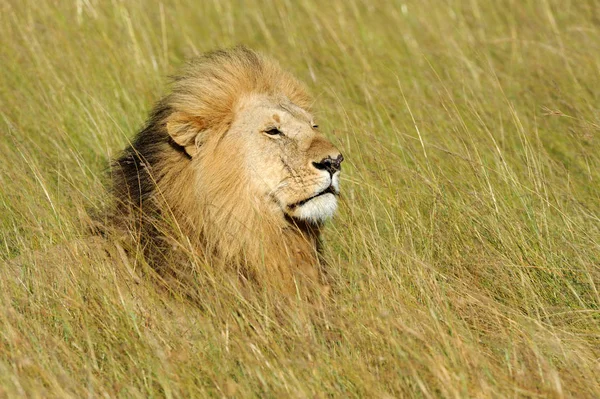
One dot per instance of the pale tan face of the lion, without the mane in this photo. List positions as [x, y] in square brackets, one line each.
[289, 162]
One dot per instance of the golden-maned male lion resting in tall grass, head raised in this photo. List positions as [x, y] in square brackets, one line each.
[232, 163]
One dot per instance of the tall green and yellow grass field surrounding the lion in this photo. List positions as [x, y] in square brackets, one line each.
[466, 250]
